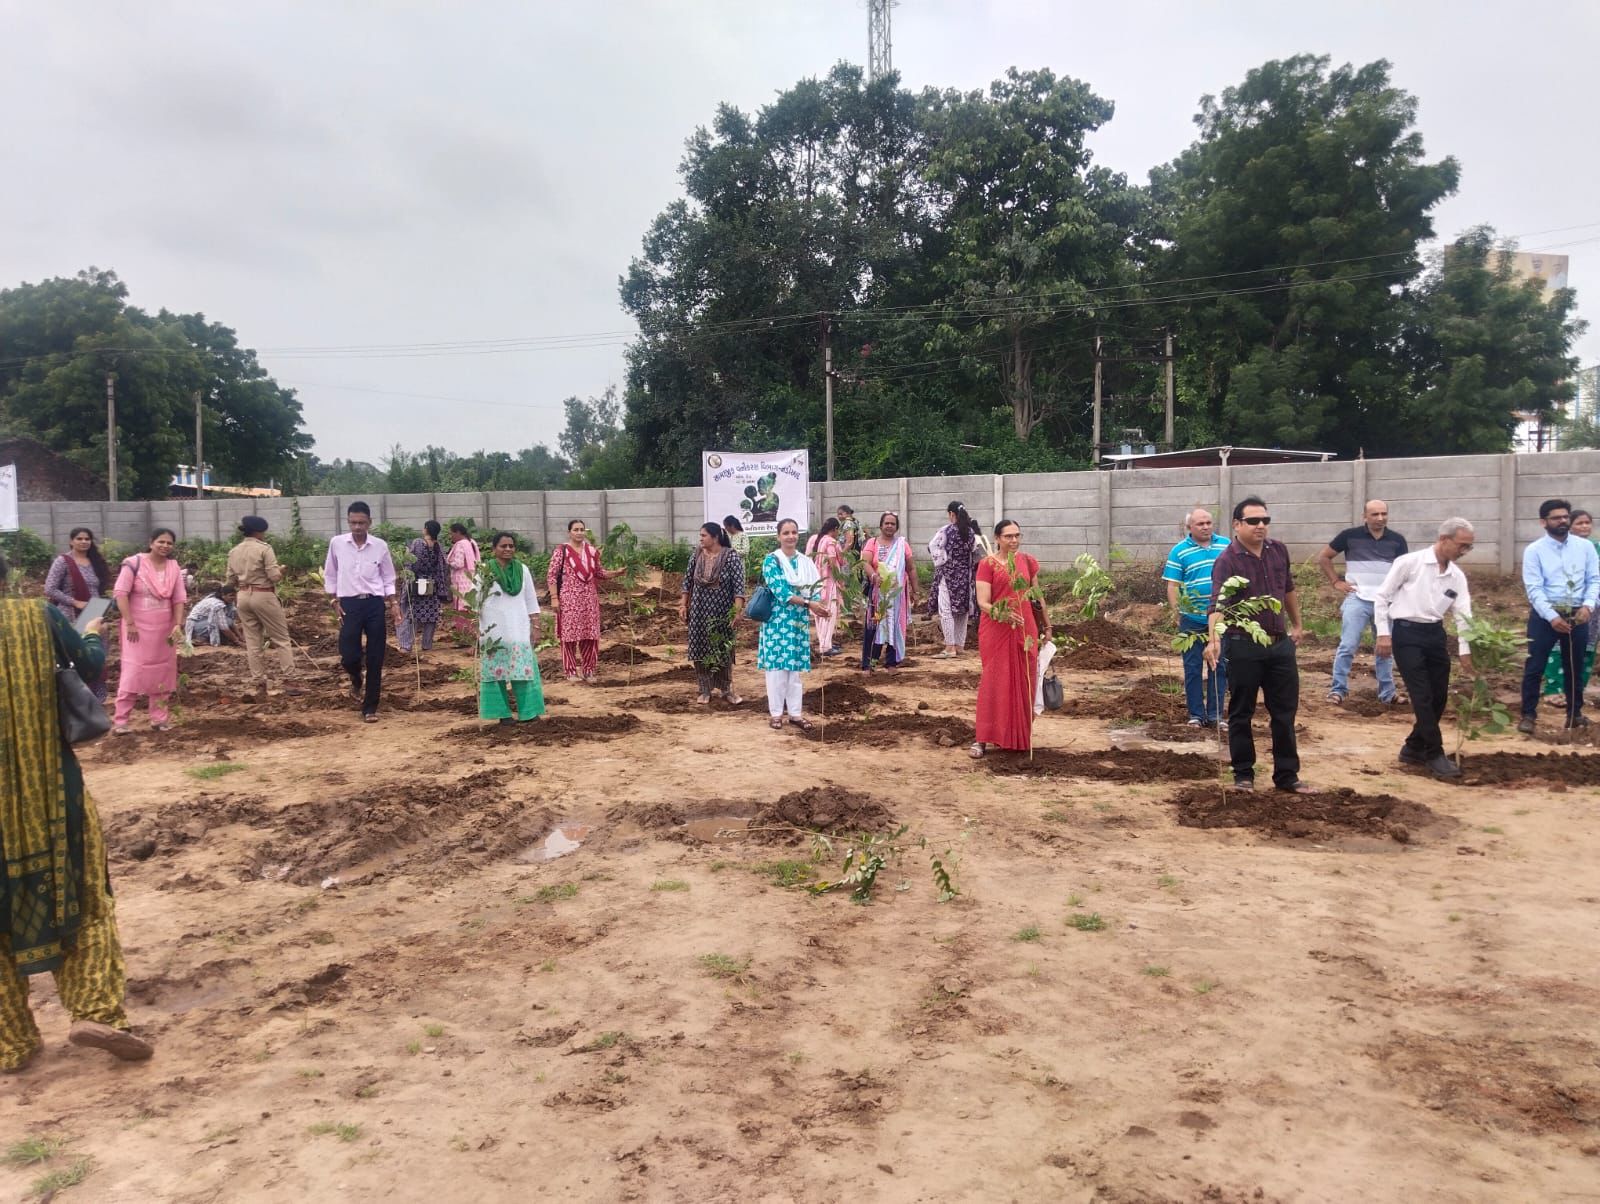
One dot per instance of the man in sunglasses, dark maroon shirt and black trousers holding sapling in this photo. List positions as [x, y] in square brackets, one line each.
[1266, 668]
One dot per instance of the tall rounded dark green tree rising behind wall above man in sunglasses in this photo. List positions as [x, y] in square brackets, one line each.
[1290, 223]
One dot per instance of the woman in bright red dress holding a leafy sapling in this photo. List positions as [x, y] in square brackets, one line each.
[1007, 643]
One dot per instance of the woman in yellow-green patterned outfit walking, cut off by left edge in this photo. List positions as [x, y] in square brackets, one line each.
[55, 899]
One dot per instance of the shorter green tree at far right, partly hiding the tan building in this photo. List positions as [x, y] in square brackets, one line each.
[1484, 348]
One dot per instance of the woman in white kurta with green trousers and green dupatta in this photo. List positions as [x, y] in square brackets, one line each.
[508, 667]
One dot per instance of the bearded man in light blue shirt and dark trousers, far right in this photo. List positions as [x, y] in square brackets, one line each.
[1562, 579]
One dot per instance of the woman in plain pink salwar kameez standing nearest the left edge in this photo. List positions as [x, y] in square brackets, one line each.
[151, 600]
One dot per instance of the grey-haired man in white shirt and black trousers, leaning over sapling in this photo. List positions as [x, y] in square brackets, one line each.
[1409, 612]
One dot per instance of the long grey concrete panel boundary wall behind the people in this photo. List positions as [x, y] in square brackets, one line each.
[1063, 515]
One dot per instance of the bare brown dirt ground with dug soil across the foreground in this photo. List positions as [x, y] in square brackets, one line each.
[580, 960]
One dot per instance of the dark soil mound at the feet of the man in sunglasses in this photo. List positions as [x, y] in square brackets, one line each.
[1319, 816]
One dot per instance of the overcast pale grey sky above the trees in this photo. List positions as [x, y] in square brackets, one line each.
[337, 180]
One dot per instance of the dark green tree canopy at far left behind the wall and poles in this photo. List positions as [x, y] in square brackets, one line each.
[63, 337]
